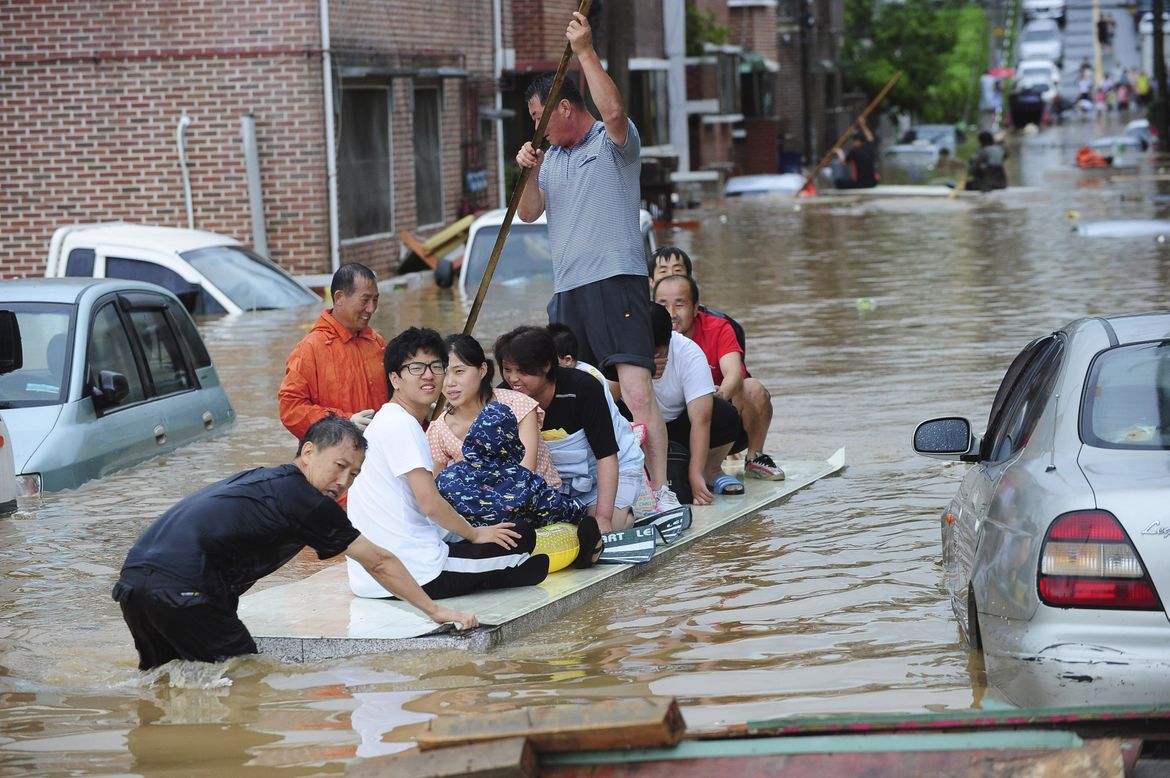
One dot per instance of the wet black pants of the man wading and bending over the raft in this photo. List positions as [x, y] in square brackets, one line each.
[170, 622]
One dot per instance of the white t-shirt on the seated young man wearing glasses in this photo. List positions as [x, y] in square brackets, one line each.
[382, 506]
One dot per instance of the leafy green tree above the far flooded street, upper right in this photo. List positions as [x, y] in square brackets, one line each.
[941, 49]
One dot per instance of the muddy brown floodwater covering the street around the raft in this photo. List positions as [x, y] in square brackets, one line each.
[831, 602]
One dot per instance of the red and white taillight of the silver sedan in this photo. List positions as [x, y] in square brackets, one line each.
[1089, 562]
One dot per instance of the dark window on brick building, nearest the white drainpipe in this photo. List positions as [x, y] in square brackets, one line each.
[364, 170]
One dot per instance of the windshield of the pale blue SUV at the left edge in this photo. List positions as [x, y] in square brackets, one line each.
[45, 345]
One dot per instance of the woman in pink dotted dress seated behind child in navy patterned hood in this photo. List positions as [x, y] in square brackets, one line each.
[467, 389]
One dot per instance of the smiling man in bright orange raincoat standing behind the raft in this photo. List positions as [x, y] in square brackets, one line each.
[338, 368]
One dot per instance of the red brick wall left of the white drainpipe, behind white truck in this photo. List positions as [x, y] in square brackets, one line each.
[93, 95]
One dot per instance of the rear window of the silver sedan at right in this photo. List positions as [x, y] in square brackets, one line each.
[1127, 398]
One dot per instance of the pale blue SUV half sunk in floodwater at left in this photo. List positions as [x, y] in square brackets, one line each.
[106, 375]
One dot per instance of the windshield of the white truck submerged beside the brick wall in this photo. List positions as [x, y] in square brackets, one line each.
[252, 283]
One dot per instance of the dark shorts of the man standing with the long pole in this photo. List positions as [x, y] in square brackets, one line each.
[611, 320]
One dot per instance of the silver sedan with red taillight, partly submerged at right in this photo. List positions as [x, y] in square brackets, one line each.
[1057, 546]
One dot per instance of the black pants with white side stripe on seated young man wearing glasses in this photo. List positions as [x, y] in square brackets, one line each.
[474, 567]
